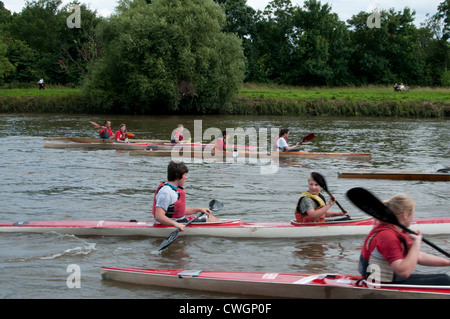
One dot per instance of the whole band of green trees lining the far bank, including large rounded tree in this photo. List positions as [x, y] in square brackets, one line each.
[191, 55]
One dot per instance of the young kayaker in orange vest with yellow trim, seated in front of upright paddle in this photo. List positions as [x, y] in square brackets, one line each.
[312, 206]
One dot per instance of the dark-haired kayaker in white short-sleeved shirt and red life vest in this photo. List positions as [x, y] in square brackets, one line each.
[169, 202]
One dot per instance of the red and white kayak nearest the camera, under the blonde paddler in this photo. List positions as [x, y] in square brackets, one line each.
[275, 285]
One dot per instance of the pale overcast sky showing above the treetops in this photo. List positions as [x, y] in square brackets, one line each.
[344, 8]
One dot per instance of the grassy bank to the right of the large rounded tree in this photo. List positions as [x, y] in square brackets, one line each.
[347, 101]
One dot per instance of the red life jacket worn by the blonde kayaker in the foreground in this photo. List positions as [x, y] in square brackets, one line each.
[366, 258]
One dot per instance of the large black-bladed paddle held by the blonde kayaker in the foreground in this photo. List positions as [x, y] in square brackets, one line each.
[368, 203]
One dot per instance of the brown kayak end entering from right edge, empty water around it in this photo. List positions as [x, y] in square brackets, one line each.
[411, 176]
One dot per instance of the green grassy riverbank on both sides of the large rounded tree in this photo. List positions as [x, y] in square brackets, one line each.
[261, 99]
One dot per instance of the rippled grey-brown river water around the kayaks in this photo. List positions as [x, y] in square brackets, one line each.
[51, 184]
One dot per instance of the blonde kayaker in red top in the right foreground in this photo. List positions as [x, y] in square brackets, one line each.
[394, 253]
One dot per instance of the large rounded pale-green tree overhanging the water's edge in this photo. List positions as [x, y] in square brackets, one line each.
[165, 56]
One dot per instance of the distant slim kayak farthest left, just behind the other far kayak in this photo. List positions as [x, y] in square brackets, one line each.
[118, 146]
